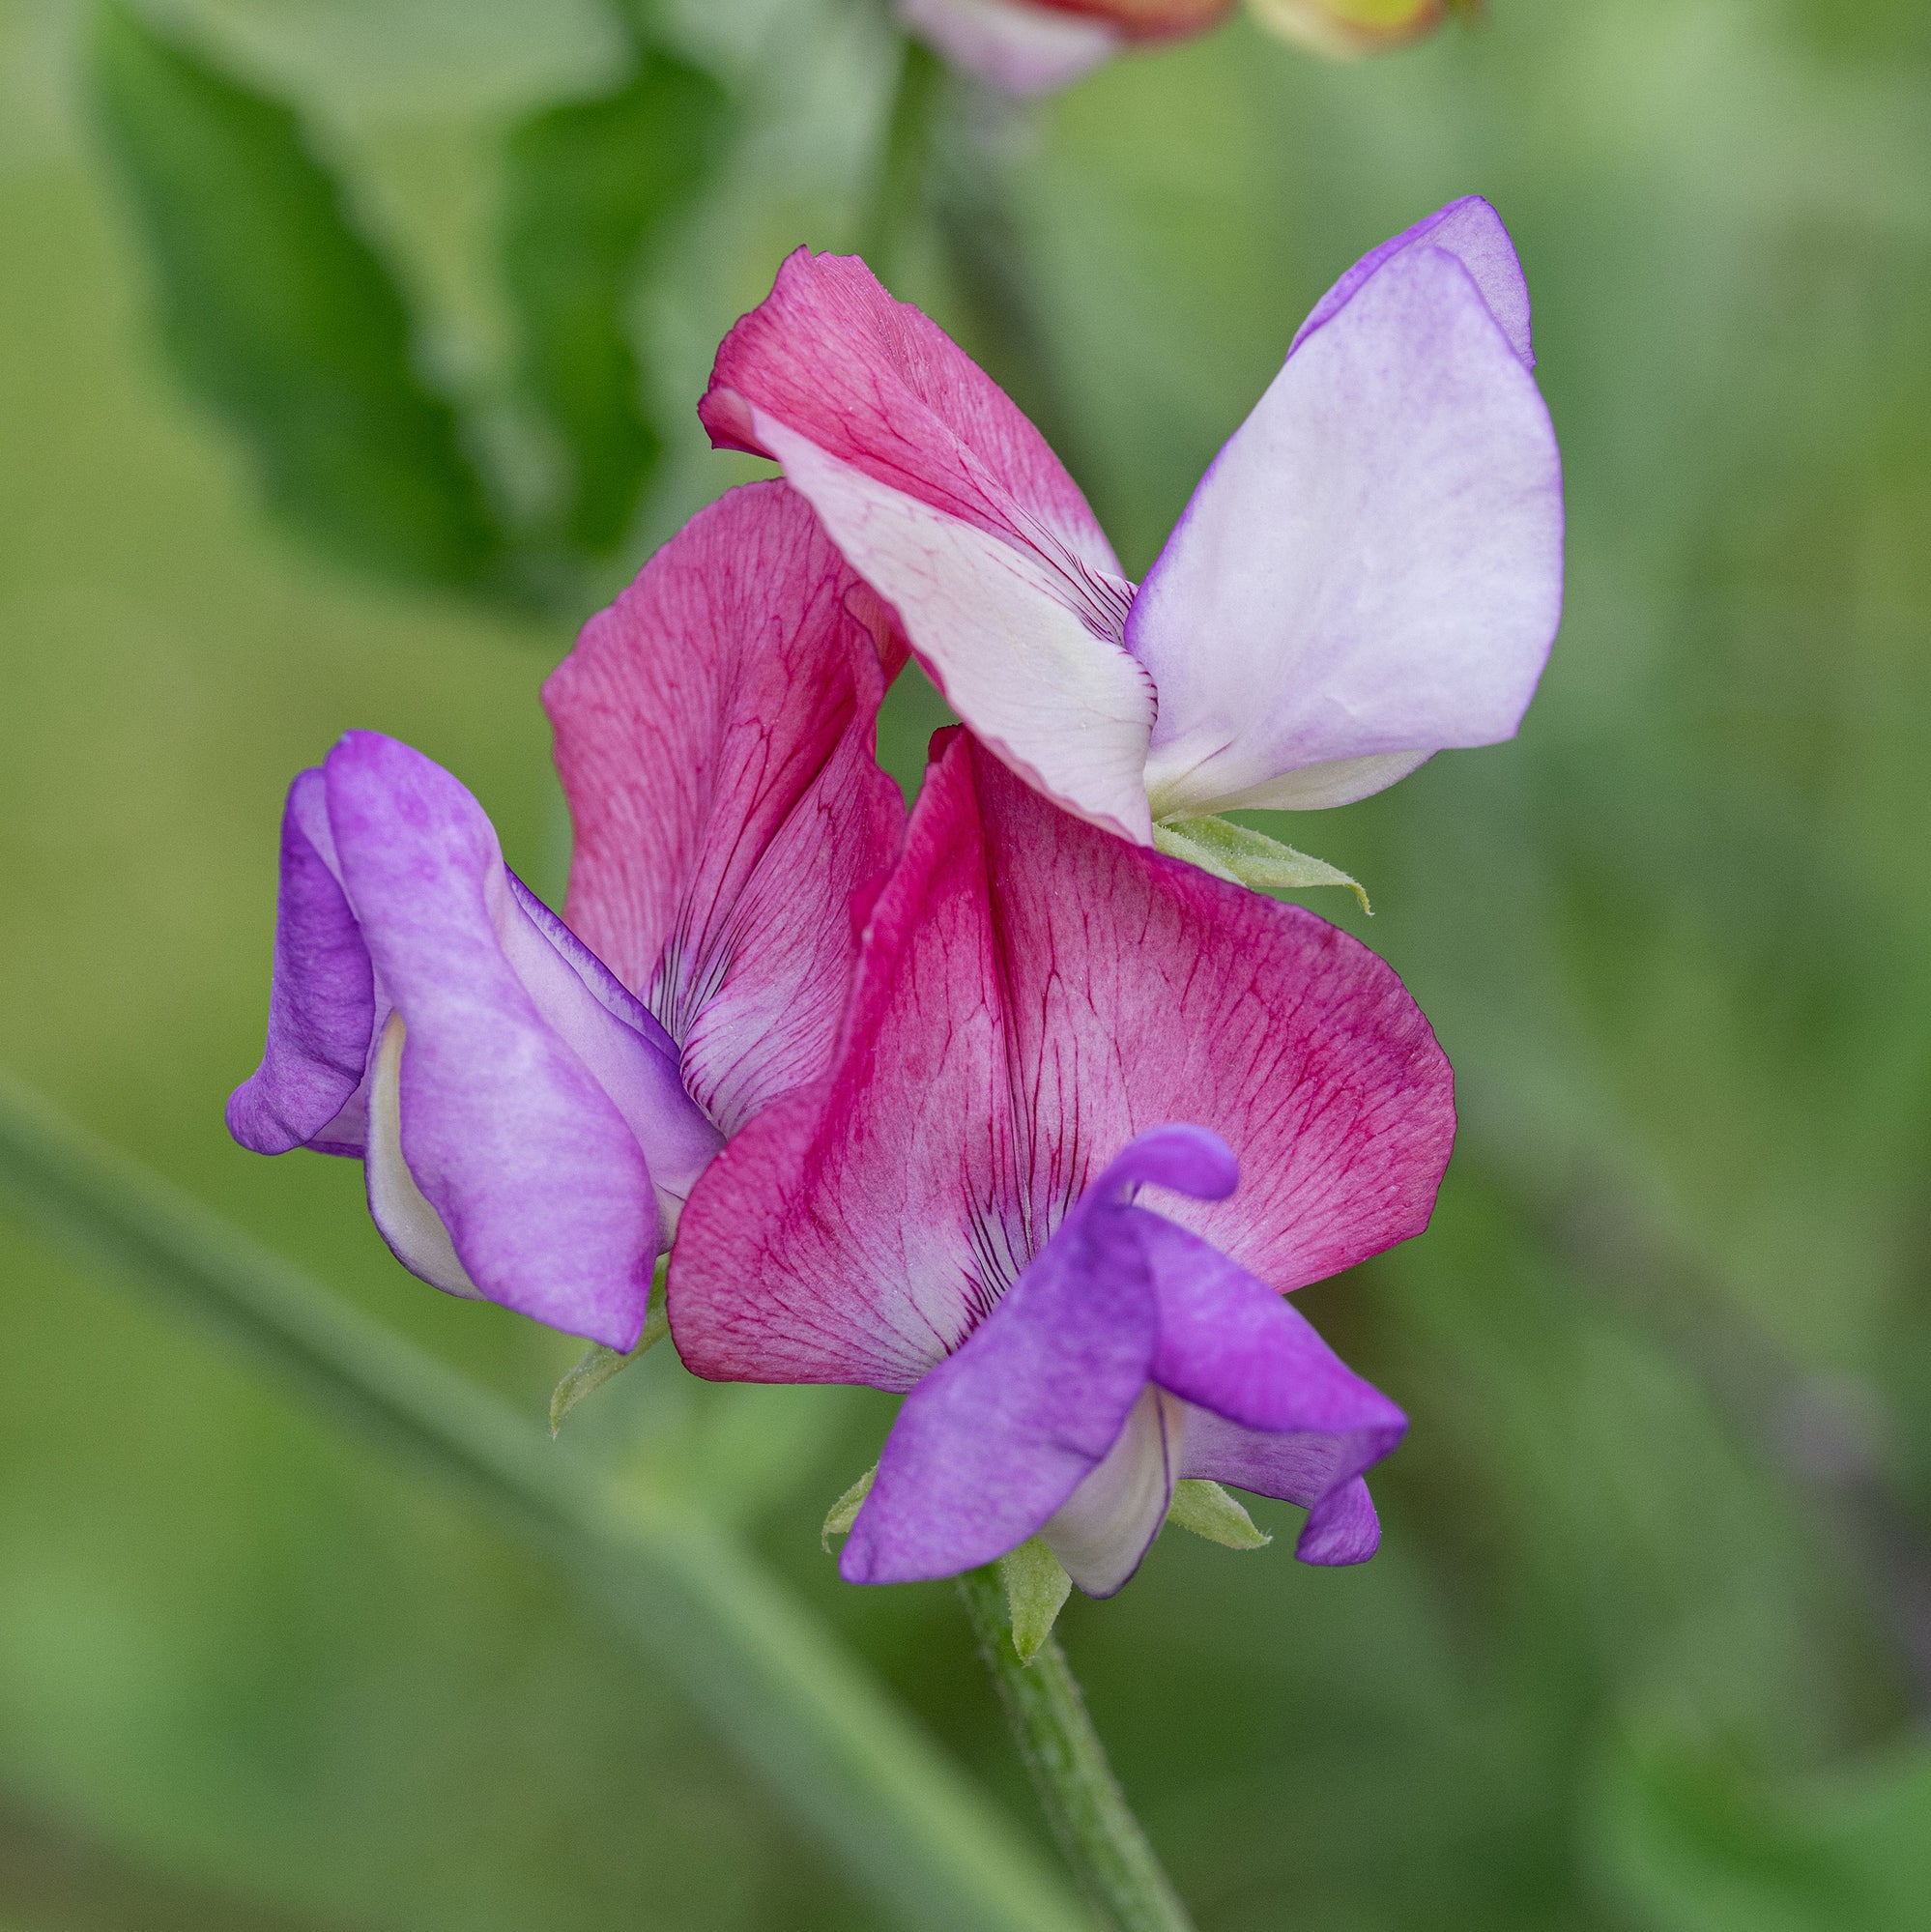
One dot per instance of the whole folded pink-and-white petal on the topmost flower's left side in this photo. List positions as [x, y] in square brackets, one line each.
[950, 503]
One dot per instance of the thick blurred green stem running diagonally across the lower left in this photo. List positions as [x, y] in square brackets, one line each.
[782, 1691]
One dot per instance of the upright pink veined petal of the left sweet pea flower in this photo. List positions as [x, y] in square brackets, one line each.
[714, 733]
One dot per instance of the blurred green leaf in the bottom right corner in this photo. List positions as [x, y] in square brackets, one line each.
[1706, 1846]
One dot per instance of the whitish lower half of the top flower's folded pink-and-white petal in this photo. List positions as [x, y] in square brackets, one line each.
[1016, 644]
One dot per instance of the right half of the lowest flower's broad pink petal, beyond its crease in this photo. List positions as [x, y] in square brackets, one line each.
[1138, 990]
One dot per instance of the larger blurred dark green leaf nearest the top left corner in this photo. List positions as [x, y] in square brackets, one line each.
[281, 316]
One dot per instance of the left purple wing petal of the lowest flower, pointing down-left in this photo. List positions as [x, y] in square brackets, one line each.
[1000, 1435]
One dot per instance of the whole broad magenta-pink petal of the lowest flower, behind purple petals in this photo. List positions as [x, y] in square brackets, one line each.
[1031, 996]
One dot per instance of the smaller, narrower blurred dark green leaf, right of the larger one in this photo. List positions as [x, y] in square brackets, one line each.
[591, 186]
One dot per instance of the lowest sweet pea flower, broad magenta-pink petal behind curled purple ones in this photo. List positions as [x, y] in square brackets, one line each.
[1047, 1021]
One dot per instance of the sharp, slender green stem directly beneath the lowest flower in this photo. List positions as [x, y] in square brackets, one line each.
[1066, 1759]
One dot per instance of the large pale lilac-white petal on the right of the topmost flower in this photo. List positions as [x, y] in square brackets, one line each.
[1371, 571]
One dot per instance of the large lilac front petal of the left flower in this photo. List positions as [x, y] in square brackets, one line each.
[507, 1133]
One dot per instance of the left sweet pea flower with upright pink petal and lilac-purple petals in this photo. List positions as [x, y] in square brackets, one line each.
[534, 1110]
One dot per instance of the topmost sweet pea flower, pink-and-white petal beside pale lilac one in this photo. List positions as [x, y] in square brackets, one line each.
[1369, 571]
